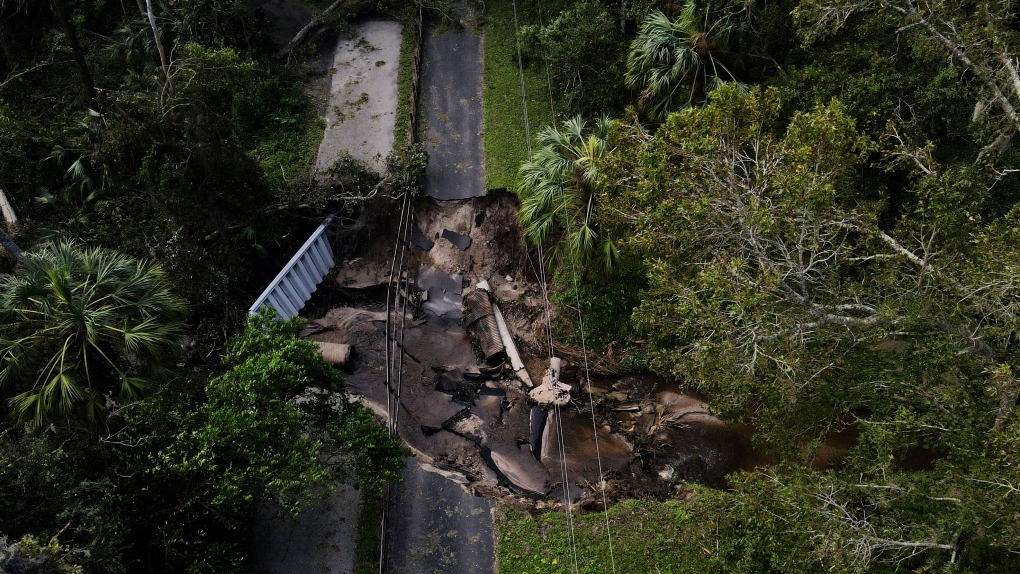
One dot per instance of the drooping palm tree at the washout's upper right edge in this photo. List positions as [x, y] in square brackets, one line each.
[556, 194]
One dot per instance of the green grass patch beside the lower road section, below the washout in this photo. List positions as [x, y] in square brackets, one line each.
[648, 538]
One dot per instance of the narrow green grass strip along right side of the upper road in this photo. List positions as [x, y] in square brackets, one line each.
[506, 146]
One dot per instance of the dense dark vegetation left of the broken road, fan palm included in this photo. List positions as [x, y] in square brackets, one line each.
[156, 173]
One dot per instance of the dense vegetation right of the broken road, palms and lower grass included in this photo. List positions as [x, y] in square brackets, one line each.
[817, 203]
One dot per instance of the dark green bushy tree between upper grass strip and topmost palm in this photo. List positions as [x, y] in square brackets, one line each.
[585, 53]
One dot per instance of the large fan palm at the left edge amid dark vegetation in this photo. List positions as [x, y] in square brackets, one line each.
[79, 326]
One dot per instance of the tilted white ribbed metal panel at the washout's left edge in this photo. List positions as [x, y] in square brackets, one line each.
[300, 278]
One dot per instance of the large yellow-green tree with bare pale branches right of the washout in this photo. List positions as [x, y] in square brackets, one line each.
[777, 290]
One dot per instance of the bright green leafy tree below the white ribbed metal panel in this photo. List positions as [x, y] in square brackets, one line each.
[276, 424]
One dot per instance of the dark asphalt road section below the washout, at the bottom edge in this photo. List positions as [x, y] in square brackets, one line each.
[437, 528]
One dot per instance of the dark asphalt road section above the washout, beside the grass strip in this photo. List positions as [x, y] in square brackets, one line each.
[451, 85]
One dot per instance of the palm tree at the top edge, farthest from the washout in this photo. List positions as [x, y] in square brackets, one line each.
[677, 64]
